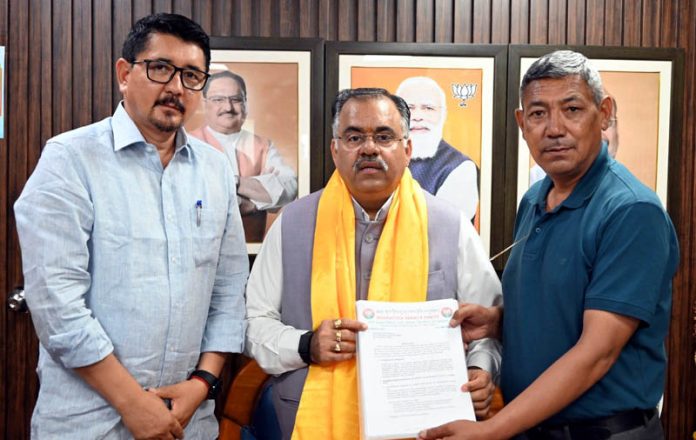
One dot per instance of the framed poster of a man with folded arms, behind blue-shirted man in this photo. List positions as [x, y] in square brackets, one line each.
[261, 106]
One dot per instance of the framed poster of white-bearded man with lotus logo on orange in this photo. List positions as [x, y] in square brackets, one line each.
[456, 95]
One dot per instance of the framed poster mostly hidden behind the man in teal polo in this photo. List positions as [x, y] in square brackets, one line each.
[645, 131]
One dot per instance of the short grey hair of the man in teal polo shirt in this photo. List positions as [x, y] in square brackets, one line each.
[563, 63]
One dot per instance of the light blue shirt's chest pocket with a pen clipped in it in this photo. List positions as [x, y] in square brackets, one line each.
[207, 228]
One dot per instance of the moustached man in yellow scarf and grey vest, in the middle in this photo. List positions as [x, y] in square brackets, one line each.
[372, 233]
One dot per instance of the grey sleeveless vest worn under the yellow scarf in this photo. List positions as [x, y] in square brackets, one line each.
[298, 223]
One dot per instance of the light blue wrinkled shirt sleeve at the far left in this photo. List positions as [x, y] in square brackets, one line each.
[54, 216]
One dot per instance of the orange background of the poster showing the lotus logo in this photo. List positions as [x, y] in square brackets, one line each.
[463, 125]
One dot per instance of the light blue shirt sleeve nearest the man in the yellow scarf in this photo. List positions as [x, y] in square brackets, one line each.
[225, 327]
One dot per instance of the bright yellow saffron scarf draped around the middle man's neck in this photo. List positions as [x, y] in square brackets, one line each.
[329, 403]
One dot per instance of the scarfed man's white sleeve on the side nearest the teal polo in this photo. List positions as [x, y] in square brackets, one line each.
[479, 284]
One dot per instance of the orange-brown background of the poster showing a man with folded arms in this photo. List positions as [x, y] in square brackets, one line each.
[272, 103]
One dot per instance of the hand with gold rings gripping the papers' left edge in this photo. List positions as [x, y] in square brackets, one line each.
[334, 340]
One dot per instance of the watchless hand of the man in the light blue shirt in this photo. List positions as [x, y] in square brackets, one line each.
[147, 417]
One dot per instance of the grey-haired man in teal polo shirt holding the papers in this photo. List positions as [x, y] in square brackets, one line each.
[587, 289]
